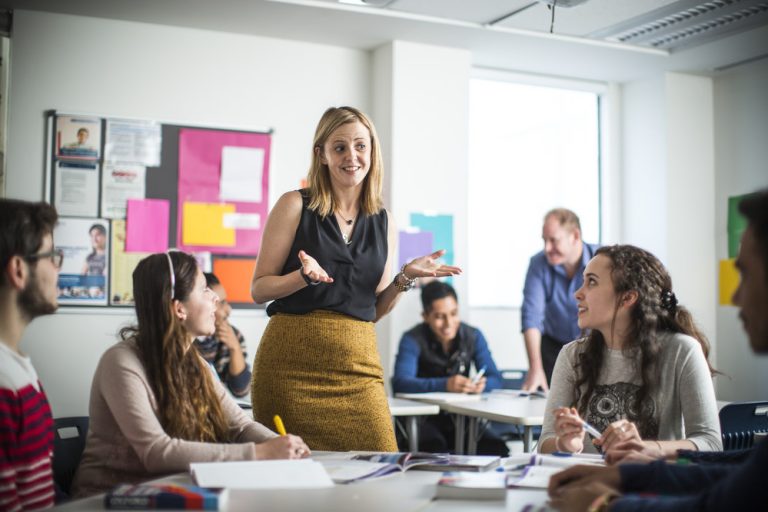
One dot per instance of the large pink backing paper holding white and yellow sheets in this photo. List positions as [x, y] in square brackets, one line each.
[199, 178]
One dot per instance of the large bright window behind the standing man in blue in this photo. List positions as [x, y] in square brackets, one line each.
[531, 148]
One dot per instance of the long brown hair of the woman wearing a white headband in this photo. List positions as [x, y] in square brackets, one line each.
[187, 405]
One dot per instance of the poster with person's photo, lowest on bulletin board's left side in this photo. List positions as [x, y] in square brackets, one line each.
[84, 273]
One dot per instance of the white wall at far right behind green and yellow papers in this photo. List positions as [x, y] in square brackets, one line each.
[741, 153]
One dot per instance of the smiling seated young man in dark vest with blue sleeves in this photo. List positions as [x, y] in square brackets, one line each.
[436, 356]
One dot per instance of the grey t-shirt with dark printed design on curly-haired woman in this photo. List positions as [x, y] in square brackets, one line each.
[682, 403]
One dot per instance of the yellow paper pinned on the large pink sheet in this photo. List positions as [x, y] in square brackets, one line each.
[204, 225]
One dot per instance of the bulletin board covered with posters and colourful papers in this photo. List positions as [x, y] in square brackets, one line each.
[126, 188]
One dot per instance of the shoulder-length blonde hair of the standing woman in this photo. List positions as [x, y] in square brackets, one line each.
[321, 198]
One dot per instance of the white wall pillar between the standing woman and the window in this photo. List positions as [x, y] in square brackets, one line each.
[428, 123]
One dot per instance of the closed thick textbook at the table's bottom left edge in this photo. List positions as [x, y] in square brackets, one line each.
[164, 496]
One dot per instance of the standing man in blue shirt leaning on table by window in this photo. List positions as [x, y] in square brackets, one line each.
[549, 309]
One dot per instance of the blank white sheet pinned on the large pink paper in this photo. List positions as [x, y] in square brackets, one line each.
[241, 173]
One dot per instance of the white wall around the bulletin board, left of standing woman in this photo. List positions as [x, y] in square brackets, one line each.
[114, 68]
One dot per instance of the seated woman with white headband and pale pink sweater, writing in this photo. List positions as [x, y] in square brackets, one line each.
[155, 406]
